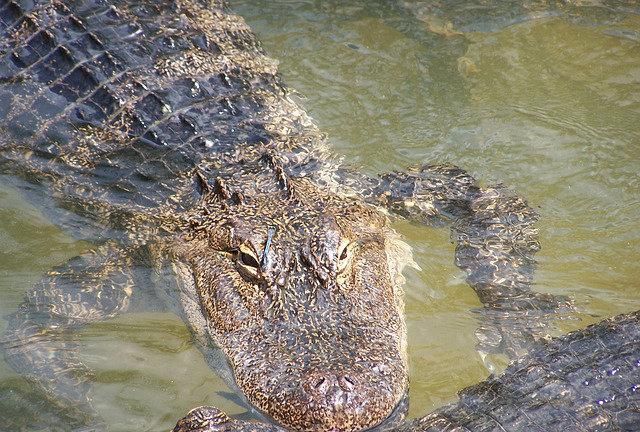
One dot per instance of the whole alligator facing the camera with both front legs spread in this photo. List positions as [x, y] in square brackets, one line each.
[161, 132]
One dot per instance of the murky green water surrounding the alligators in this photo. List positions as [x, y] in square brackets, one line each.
[544, 101]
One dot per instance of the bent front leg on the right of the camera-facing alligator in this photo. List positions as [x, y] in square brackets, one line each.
[495, 240]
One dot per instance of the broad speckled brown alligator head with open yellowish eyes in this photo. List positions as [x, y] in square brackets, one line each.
[301, 290]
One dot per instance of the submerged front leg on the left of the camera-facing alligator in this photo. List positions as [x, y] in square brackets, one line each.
[39, 342]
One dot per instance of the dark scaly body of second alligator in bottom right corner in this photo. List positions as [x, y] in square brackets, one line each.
[587, 380]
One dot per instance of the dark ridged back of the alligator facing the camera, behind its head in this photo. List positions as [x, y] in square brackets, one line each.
[115, 103]
